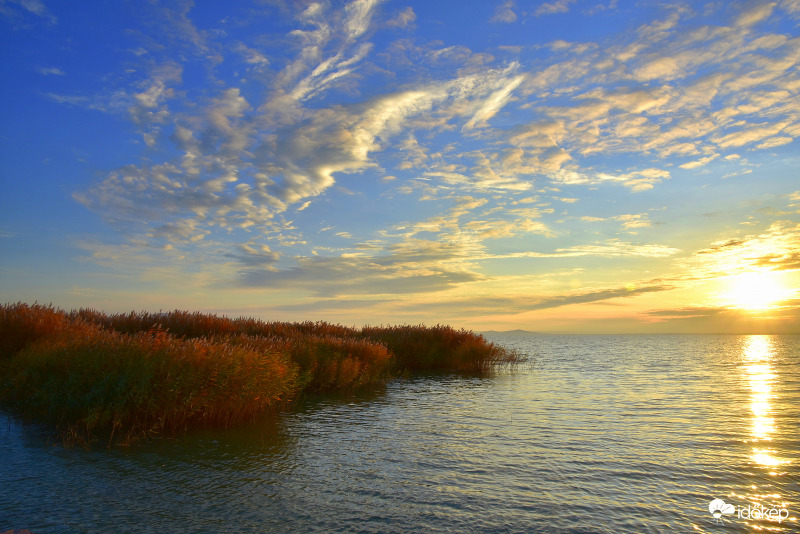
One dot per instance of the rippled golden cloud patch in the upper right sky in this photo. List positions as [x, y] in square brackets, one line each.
[689, 88]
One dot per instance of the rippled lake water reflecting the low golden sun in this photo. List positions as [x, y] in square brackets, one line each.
[601, 434]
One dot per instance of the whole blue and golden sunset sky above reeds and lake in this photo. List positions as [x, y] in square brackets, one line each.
[602, 166]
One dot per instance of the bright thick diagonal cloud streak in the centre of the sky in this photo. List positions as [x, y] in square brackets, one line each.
[342, 139]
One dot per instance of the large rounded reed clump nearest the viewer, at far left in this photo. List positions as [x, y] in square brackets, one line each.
[89, 381]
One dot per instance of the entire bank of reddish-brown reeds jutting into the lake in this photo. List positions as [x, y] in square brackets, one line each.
[125, 377]
